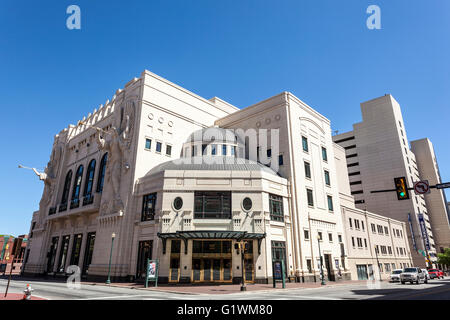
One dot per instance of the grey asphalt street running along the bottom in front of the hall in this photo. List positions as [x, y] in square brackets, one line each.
[434, 290]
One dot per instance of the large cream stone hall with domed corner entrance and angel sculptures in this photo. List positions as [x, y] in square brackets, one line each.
[161, 173]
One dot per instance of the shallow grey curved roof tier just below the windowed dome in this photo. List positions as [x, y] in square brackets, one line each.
[220, 163]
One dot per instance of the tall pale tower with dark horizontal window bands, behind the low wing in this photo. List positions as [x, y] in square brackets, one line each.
[377, 151]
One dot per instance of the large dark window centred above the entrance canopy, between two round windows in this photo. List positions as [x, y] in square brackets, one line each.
[212, 205]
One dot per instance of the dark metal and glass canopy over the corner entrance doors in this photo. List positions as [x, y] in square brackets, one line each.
[211, 234]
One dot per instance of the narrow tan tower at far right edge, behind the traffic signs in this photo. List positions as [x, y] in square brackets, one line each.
[436, 201]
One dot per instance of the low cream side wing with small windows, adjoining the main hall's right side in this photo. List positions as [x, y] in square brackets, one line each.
[376, 244]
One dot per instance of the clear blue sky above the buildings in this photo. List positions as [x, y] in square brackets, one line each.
[241, 51]
